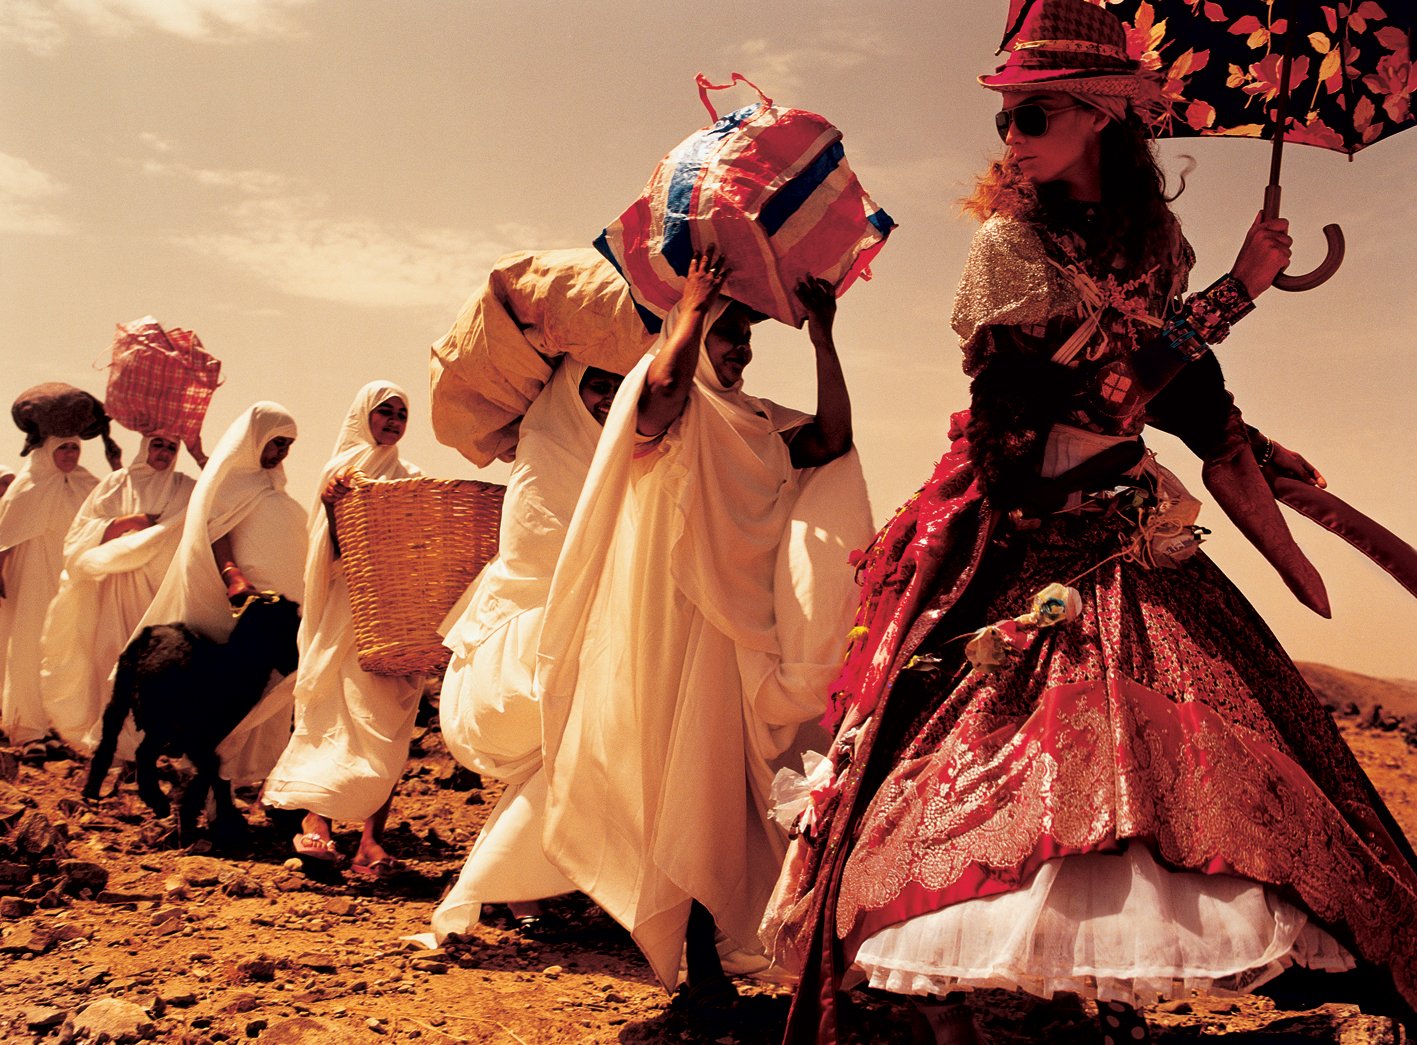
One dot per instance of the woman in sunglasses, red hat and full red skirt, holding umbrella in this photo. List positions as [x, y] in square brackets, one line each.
[1072, 758]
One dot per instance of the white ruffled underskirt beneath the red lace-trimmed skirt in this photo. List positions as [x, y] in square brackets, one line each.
[1109, 927]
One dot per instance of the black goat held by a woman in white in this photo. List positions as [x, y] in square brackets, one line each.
[188, 693]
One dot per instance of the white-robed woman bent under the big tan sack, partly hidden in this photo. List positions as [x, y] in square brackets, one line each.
[488, 712]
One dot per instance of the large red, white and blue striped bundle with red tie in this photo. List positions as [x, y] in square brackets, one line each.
[772, 191]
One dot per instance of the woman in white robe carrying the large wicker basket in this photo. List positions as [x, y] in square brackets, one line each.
[352, 730]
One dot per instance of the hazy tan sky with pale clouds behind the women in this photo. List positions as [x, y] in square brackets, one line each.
[315, 188]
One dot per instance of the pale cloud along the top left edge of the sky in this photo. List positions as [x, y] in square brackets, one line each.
[43, 28]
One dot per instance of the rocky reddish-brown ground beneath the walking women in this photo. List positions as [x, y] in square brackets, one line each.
[110, 928]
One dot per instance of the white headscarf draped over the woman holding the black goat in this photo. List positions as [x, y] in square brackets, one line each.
[232, 486]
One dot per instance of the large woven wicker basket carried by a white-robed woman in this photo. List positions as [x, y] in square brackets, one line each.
[412, 548]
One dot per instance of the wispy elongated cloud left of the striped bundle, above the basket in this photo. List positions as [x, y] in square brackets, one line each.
[295, 247]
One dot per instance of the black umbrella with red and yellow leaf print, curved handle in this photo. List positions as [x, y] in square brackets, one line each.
[1222, 65]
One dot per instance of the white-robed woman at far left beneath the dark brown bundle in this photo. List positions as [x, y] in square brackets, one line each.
[35, 515]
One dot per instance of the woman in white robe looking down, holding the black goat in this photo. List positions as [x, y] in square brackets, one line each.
[243, 534]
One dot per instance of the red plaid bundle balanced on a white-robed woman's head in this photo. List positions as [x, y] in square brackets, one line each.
[161, 381]
